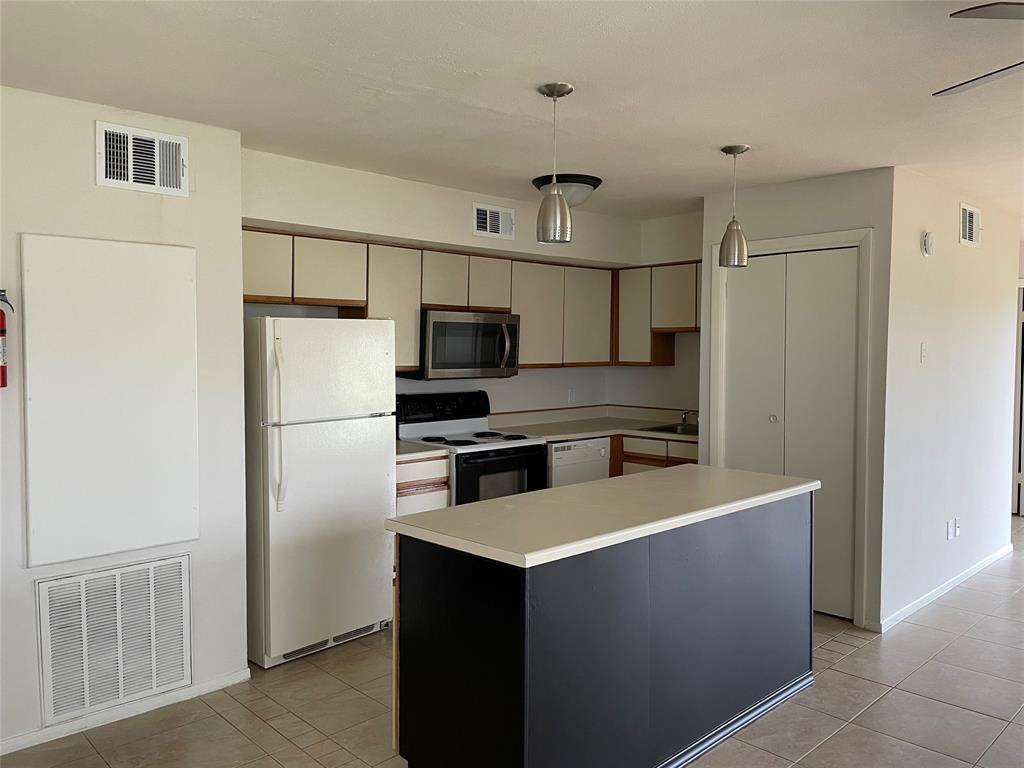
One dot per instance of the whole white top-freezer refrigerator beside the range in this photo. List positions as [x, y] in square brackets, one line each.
[320, 477]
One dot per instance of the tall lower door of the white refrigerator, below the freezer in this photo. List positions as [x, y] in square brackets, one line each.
[330, 487]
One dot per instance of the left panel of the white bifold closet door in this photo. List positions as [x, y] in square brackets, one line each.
[755, 366]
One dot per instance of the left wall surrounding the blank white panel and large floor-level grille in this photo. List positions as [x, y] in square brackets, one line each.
[49, 187]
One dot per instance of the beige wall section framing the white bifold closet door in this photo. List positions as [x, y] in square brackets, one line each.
[829, 204]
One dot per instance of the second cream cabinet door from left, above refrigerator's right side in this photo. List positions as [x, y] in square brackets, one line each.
[329, 272]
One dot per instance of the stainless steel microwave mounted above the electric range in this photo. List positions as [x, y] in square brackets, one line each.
[468, 346]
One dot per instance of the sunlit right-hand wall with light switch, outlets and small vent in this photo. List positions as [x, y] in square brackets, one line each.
[950, 418]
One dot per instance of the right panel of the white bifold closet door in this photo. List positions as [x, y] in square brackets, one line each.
[822, 409]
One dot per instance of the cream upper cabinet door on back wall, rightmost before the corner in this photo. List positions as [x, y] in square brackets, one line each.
[587, 327]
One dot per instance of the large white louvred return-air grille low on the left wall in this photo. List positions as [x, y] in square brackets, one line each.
[114, 636]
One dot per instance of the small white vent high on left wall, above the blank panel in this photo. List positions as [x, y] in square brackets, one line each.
[136, 159]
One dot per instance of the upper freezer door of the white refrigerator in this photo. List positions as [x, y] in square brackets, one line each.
[320, 369]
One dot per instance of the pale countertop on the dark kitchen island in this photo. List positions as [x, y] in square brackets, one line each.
[530, 530]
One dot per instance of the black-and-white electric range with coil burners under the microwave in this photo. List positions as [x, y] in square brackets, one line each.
[484, 463]
